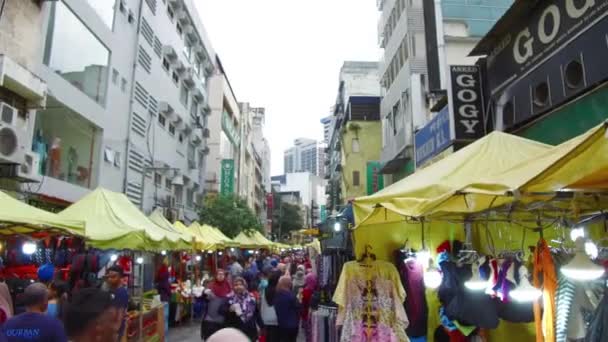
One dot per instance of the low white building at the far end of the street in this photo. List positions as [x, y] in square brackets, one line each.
[304, 189]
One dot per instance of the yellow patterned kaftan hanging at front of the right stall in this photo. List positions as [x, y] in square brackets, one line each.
[370, 297]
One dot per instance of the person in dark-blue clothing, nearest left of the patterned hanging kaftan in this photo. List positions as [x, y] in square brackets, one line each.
[287, 306]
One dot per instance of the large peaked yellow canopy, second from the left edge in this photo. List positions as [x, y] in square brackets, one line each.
[113, 222]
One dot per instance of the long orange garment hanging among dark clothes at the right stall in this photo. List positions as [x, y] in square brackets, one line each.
[544, 269]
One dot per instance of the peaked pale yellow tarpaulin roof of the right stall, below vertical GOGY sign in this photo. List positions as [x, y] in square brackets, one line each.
[435, 189]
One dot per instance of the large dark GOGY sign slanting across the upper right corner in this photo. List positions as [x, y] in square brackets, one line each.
[548, 30]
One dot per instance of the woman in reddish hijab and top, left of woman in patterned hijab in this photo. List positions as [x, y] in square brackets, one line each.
[216, 296]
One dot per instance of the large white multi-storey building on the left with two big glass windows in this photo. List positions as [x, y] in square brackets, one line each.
[127, 103]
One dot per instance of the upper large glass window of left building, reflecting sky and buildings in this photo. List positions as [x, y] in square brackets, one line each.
[73, 52]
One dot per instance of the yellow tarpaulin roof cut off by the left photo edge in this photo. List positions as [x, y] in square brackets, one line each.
[19, 217]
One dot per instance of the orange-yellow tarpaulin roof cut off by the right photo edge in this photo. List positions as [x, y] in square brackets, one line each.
[578, 164]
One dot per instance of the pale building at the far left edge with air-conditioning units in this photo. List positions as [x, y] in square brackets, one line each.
[21, 91]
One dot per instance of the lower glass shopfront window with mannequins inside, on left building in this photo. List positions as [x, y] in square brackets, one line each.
[67, 145]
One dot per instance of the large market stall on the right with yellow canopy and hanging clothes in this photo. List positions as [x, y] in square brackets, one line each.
[496, 202]
